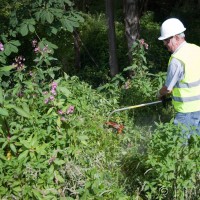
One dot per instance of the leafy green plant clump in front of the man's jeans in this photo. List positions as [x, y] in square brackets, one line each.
[172, 164]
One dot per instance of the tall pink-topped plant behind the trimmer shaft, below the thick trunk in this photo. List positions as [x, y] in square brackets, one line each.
[141, 84]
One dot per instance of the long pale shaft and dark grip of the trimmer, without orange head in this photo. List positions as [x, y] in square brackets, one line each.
[164, 100]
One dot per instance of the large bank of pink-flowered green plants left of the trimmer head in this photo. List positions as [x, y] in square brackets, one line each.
[53, 142]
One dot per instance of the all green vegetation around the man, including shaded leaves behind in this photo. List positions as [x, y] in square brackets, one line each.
[57, 138]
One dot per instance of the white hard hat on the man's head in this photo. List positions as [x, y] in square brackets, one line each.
[171, 27]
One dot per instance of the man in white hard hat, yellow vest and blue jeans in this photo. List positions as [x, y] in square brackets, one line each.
[183, 74]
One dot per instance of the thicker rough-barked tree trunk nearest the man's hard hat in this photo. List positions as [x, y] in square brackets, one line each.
[131, 18]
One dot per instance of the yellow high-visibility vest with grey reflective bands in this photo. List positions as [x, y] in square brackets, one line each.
[186, 93]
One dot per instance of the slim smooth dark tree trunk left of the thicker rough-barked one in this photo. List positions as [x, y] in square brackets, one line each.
[111, 37]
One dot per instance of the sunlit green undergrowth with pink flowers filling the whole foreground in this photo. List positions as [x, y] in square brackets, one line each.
[59, 141]
